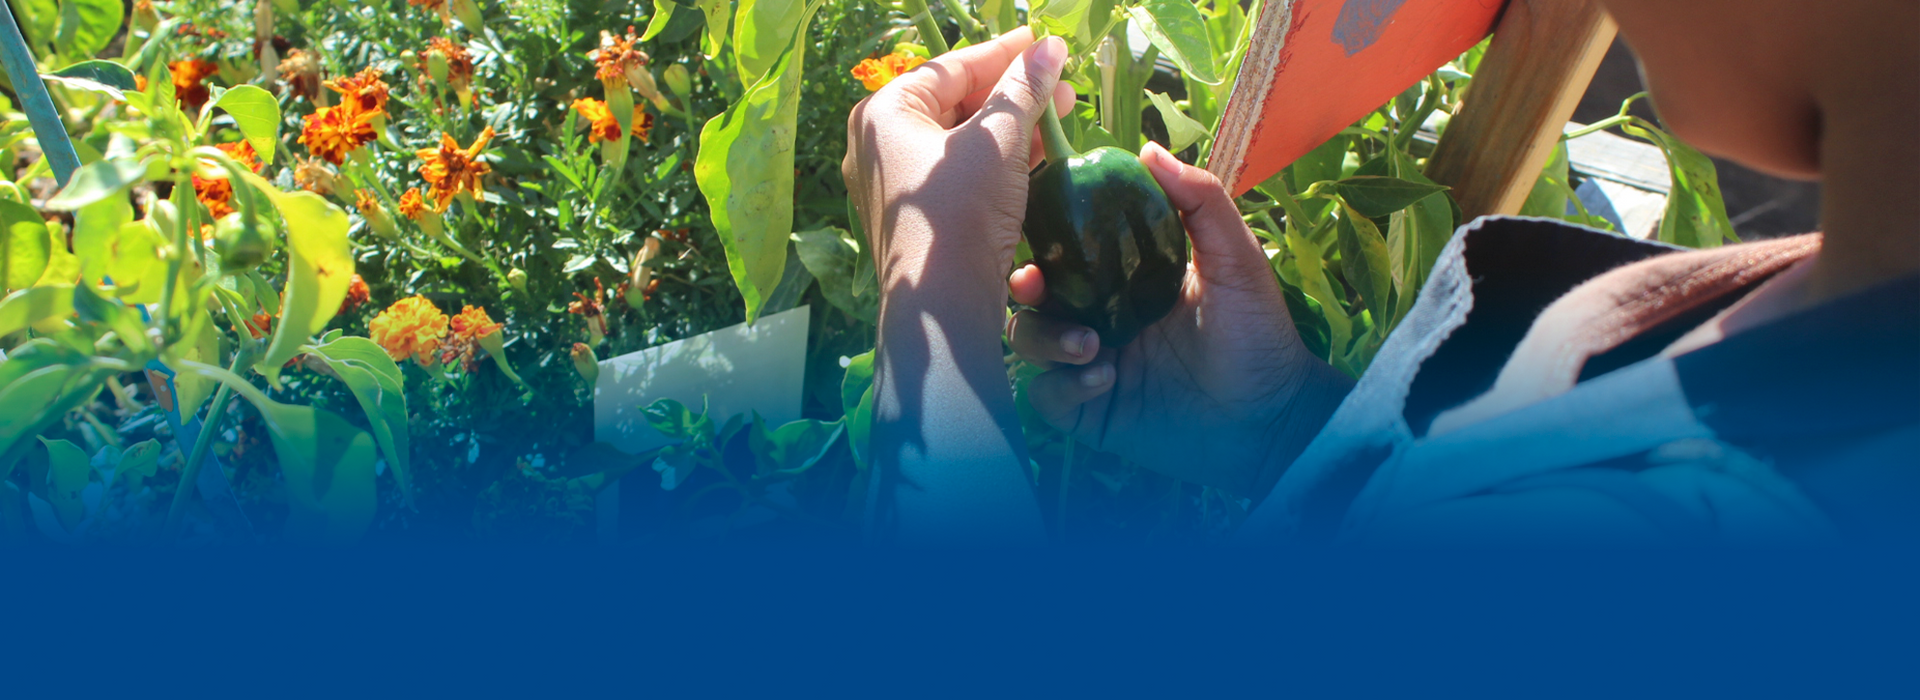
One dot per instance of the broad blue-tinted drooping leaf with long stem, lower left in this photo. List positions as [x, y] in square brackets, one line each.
[325, 463]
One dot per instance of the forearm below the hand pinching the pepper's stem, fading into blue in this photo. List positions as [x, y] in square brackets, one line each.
[948, 440]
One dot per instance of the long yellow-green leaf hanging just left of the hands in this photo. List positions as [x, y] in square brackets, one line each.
[746, 172]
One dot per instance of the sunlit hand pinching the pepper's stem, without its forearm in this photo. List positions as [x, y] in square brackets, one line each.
[940, 158]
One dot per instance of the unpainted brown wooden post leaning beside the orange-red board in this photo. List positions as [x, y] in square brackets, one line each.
[1535, 72]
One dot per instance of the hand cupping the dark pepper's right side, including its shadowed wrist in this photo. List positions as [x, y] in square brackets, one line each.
[1222, 392]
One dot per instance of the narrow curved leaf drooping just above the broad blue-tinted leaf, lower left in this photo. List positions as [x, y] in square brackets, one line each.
[381, 392]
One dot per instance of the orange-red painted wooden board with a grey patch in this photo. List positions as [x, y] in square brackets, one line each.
[1320, 66]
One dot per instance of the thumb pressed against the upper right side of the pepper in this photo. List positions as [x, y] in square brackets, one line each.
[1214, 225]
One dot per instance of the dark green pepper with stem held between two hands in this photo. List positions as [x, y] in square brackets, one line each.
[1105, 237]
